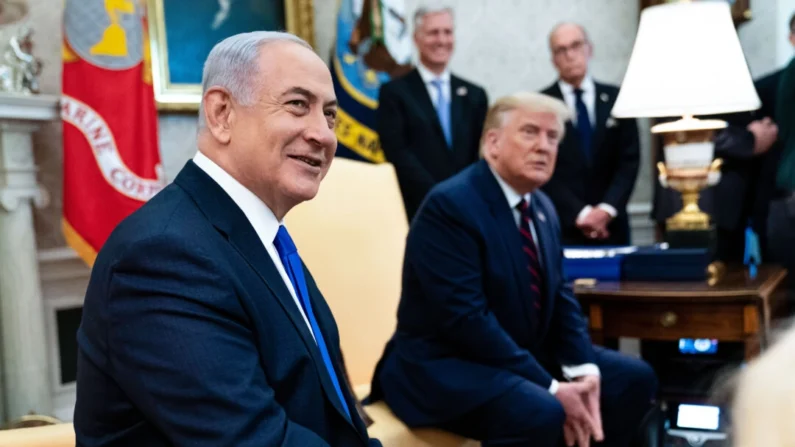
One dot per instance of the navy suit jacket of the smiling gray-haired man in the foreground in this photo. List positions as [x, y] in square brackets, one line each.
[190, 337]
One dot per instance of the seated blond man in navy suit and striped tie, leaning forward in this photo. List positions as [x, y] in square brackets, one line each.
[491, 342]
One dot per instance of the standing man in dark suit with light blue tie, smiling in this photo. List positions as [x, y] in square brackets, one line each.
[429, 121]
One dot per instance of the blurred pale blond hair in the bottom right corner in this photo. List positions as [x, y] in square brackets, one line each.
[764, 404]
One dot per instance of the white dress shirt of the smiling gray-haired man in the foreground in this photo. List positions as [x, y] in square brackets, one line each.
[258, 214]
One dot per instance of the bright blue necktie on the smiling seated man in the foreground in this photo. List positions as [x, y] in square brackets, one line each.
[292, 264]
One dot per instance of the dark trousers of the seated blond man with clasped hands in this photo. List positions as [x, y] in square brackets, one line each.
[529, 415]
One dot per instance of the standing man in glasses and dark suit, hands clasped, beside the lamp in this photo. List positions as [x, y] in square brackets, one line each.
[600, 156]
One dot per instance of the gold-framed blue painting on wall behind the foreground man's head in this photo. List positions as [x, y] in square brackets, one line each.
[182, 33]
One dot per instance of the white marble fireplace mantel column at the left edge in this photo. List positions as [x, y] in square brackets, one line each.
[25, 367]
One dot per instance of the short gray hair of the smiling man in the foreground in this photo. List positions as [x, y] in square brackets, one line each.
[233, 65]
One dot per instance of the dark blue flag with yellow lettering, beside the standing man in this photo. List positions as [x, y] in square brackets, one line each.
[373, 45]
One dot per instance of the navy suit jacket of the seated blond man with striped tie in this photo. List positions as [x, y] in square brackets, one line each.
[465, 331]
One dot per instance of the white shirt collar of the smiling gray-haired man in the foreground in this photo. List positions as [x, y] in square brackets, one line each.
[258, 214]
